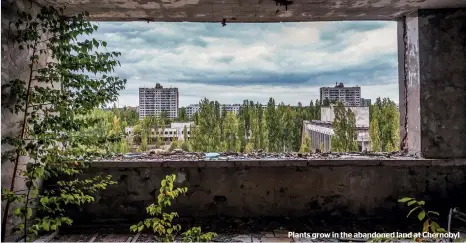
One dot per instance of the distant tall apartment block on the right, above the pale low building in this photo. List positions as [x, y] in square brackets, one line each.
[349, 96]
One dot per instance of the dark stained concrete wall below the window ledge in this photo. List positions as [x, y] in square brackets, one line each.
[279, 188]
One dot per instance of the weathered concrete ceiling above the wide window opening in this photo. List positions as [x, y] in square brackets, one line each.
[249, 10]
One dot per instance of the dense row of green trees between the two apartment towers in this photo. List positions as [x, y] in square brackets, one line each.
[272, 128]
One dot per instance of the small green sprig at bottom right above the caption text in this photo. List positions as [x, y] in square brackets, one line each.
[425, 217]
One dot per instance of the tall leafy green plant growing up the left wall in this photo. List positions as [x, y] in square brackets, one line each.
[53, 104]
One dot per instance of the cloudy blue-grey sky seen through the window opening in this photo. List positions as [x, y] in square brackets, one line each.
[286, 61]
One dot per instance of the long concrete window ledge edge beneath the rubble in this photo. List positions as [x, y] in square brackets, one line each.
[280, 163]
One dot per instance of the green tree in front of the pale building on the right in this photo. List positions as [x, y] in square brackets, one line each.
[344, 127]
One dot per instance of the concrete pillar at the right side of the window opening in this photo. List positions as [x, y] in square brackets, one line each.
[432, 74]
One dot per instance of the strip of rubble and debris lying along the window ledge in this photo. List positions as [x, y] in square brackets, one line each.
[179, 155]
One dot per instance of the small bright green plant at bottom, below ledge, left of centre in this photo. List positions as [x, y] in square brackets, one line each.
[161, 222]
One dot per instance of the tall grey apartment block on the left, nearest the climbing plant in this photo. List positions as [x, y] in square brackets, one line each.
[154, 101]
